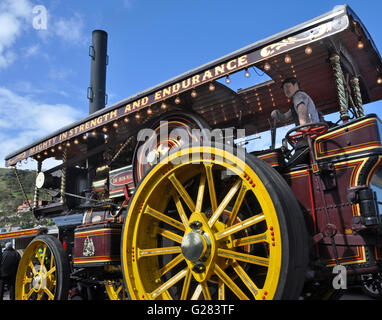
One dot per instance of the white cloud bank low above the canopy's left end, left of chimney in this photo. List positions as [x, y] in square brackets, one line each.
[23, 120]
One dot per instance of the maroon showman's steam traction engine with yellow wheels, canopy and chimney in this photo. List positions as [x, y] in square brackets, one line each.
[176, 211]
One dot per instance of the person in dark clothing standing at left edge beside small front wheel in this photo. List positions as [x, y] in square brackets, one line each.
[9, 264]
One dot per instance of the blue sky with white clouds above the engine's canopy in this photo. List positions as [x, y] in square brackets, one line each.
[44, 64]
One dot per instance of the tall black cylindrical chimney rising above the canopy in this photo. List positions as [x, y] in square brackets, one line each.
[98, 54]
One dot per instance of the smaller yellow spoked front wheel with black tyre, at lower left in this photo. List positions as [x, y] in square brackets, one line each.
[43, 272]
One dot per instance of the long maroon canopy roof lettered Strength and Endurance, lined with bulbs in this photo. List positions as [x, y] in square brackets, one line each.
[308, 46]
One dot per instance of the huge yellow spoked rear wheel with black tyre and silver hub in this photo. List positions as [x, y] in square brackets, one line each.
[206, 223]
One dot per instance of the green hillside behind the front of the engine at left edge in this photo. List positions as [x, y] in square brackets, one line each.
[11, 197]
